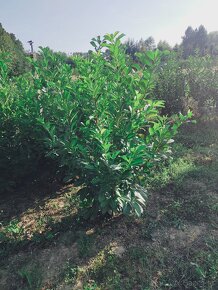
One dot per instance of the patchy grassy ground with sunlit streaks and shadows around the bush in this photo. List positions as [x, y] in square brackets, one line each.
[45, 244]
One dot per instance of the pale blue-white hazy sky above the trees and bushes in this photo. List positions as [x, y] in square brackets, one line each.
[69, 25]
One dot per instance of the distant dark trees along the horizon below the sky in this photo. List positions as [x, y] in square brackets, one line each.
[195, 41]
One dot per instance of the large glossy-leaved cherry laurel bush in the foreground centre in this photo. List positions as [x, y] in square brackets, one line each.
[106, 129]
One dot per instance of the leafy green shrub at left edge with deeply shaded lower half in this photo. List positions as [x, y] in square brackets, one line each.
[21, 137]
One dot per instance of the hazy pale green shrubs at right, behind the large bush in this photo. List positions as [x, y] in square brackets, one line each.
[187, 84]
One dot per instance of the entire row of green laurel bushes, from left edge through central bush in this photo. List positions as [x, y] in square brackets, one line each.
[95, 121]
